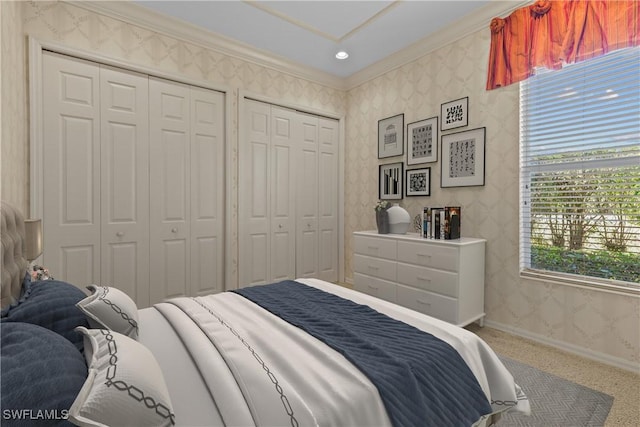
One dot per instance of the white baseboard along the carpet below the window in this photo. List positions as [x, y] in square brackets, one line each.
[570, 348]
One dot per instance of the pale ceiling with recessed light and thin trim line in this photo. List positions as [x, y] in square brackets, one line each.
[310, 32]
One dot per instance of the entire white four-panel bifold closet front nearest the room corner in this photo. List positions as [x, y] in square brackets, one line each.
[288, 165]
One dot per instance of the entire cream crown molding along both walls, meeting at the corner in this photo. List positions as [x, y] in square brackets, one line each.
[134, 14]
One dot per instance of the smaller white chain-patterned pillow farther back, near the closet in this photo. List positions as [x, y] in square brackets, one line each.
[111, 308]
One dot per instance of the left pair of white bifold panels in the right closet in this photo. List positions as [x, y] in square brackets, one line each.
[267, 197]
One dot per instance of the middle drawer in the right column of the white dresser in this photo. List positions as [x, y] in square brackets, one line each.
[428, 279]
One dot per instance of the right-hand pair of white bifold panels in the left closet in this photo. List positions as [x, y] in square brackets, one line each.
[187, 176]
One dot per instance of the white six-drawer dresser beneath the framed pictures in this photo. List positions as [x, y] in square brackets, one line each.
[441, 278]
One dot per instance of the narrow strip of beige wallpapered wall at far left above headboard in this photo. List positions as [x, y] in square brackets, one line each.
[13, 110]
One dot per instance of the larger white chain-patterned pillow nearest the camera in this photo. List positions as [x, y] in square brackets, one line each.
[125, 386]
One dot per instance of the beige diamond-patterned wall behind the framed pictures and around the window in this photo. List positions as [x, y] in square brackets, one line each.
[605, 324]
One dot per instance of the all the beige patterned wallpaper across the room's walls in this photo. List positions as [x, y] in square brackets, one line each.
[603, 324]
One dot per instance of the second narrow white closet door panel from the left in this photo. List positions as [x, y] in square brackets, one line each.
[125, 182]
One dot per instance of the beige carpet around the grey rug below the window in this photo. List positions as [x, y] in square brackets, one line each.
[623, 385]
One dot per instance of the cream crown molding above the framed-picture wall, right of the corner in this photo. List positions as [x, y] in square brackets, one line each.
[460, 29]
